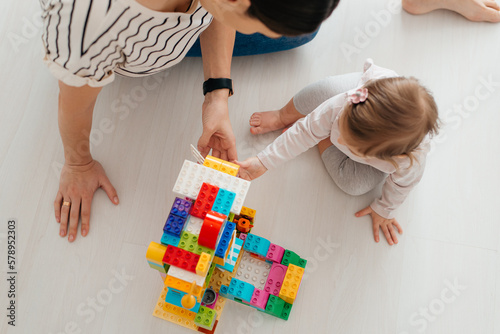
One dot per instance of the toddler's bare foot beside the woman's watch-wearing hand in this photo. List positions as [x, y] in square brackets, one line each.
[264, 122]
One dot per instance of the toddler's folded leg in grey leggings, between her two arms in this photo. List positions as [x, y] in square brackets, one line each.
[352, 177]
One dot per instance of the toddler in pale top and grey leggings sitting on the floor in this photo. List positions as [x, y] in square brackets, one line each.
[370, 127]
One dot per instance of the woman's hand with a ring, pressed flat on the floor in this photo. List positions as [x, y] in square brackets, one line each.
[77, 186]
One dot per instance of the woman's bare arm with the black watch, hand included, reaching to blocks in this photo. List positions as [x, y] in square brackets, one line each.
[217, 43]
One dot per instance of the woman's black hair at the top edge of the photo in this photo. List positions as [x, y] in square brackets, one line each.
[292, 17]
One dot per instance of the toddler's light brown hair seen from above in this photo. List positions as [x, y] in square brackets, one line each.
[395, 118]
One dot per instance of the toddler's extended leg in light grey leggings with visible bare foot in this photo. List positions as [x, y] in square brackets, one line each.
[303, 103]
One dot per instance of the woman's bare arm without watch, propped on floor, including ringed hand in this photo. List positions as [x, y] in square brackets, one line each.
[81, 176]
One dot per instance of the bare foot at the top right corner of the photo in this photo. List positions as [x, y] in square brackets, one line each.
[474, 10]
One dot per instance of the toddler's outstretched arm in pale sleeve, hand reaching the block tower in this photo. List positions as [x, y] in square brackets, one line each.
[303, 135]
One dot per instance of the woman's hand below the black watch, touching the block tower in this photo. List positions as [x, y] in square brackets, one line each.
[217, 133]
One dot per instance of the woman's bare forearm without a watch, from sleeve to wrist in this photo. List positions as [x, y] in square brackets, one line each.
[75, 110]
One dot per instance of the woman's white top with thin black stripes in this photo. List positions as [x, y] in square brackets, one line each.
[88, 41]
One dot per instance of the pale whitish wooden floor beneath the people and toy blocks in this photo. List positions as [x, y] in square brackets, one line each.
[443, 277]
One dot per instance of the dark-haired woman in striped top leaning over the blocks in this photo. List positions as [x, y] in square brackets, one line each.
[87, 42]
